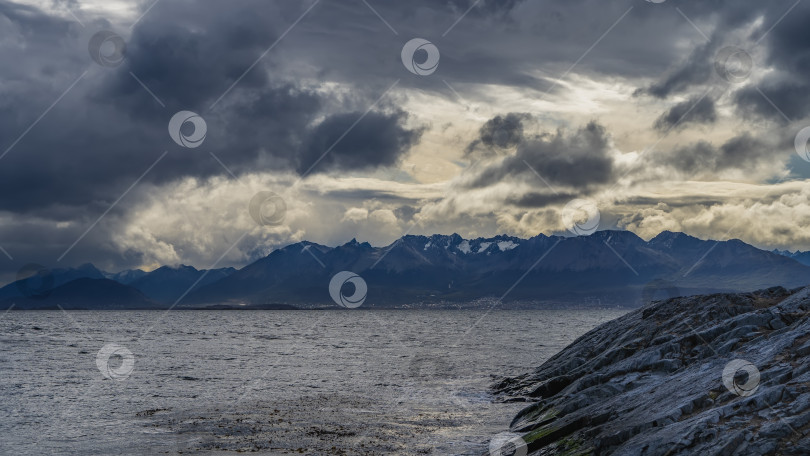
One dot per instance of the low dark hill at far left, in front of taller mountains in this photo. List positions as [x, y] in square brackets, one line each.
[87, 294]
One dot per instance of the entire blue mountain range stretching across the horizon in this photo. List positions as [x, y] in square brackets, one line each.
[607, 268]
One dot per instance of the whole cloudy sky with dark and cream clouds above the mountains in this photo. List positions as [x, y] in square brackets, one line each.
[137, 134]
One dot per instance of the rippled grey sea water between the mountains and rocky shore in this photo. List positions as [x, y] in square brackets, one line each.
[276, 382]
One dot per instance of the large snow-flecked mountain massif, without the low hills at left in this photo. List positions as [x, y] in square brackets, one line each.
[606, 268]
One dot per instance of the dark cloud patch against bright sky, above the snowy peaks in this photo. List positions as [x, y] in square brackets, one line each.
[578, 159]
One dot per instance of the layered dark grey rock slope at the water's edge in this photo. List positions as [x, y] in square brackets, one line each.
[722, 374]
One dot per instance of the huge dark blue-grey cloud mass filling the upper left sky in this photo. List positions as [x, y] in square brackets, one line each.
[108, 130]
